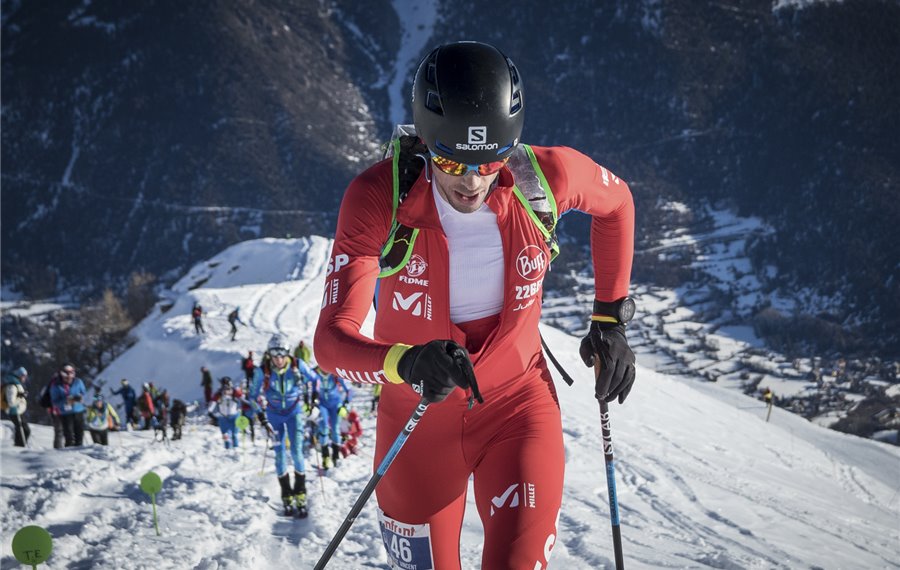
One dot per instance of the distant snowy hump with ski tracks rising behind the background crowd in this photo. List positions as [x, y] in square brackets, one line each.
[276, 283]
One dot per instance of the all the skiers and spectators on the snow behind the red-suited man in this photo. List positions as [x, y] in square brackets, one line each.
[299, 408]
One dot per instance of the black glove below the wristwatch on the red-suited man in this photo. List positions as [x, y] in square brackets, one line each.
[607, 341]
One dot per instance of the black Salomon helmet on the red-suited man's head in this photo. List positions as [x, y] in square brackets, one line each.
[467, 103]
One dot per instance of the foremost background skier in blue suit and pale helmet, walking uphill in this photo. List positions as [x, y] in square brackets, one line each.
[277, 393]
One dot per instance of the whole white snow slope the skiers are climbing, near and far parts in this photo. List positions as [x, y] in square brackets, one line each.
[703, 481]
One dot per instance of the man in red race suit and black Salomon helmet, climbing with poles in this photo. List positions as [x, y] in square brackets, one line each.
[466, 294]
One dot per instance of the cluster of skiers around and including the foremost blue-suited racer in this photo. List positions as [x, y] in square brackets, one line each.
[299, 407]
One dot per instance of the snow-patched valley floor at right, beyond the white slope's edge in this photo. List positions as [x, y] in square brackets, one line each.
[706, 327]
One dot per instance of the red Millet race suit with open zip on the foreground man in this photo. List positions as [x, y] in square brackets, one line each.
[513, 442]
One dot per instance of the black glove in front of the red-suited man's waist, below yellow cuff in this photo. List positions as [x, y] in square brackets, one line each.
[435, 369]
